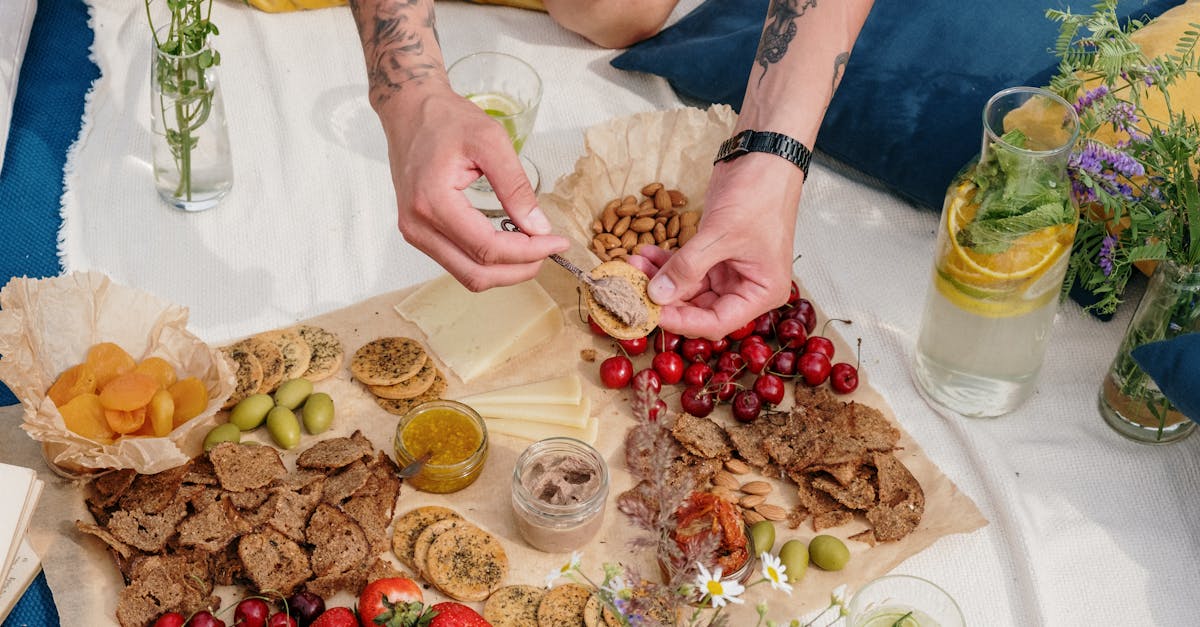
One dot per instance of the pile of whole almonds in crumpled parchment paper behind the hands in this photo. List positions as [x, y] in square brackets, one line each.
[658, 219]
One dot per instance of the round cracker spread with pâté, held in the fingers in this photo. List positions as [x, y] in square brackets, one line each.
[635, 302]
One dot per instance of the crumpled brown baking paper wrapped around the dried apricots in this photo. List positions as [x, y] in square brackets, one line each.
[49, 325]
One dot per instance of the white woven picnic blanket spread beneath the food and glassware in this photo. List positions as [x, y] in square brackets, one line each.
[1085, 527]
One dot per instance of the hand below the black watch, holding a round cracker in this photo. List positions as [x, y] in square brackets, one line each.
[739, 265]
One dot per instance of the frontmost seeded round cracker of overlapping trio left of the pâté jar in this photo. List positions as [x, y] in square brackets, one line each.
[467, 564]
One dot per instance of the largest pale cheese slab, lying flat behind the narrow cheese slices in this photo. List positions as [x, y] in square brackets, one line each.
[473, 333]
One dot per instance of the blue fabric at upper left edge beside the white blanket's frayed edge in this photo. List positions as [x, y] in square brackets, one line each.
[47, 114]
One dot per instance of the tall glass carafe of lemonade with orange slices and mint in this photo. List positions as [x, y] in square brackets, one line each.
[1004, 243]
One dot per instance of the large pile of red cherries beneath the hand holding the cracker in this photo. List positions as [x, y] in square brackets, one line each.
[747, 368]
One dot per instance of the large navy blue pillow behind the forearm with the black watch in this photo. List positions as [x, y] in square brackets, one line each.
[909, 108]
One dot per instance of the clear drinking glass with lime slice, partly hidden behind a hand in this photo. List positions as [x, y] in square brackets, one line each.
[509, 91]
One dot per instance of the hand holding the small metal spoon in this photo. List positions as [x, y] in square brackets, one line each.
[439, 144]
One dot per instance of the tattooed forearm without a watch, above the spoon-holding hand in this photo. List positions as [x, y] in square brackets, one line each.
[394, 34]
